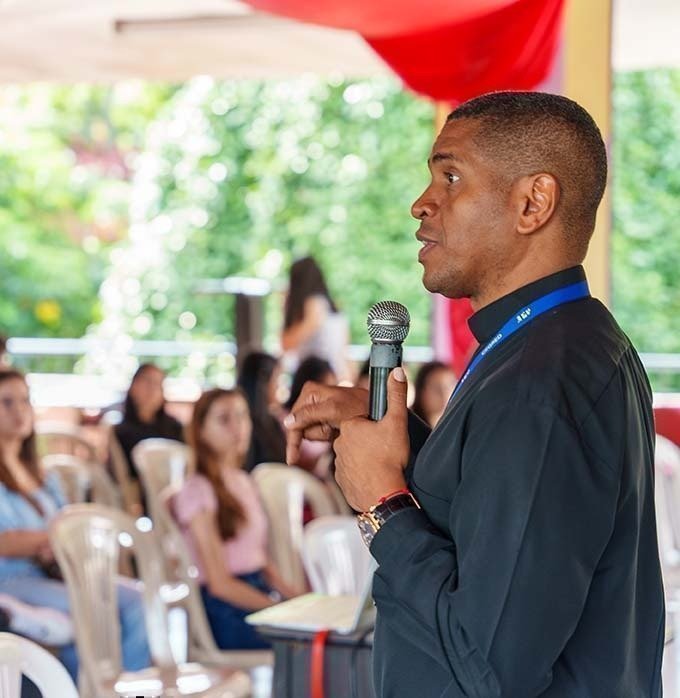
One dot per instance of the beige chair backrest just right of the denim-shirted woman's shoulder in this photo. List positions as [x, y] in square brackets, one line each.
[81, 479]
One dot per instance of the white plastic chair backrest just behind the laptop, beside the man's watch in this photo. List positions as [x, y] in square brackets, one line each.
[335, 558]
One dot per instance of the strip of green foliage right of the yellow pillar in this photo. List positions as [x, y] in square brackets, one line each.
[646, 211]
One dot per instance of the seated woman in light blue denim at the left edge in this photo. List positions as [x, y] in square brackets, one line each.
[27, 502]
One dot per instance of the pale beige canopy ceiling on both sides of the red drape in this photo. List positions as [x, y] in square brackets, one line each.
[108, 40]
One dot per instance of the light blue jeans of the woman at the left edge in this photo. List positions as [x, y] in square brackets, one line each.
[51, 593]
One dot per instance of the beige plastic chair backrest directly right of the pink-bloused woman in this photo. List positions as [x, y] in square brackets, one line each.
[284, 490]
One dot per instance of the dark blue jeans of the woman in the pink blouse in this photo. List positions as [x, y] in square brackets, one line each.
[227, 622]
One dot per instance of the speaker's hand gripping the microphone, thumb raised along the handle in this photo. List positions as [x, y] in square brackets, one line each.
[371, 456]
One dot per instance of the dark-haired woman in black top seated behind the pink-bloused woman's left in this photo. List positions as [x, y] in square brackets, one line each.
[144, 415]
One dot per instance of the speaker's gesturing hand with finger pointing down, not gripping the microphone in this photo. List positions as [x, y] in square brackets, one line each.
[318, 412]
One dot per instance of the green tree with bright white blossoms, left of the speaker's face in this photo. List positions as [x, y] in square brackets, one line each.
[239, 178]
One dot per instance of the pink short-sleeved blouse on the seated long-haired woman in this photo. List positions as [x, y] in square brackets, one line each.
[247, 551]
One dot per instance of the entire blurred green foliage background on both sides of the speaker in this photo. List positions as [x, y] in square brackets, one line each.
[116, 201]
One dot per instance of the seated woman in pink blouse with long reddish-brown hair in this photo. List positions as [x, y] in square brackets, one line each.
[223, 521]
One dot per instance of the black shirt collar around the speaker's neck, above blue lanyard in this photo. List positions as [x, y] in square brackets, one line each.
[487, 321]
